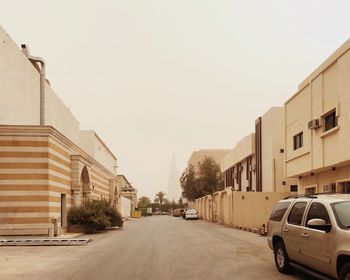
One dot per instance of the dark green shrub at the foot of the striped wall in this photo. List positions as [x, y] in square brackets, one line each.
[95, 215]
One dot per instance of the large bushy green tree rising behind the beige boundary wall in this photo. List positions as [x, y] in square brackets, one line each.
[204, 180]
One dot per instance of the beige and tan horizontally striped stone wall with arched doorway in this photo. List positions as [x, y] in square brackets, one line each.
[37, 166]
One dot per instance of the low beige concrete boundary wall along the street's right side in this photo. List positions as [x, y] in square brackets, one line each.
[248, 210]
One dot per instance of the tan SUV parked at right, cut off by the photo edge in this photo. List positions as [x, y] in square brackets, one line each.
[312, 233]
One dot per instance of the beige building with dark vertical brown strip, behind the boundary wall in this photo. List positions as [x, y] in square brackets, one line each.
[256, 163]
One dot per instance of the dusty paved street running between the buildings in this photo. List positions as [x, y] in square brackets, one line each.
[149, 248]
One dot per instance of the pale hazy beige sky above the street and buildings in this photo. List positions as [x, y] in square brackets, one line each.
[162, 78]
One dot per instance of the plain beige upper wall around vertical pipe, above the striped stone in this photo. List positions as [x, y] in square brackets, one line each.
[20, 93]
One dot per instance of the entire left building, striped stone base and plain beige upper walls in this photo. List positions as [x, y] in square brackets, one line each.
[47, 164]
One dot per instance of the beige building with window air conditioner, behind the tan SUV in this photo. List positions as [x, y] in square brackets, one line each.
[317, 123]
